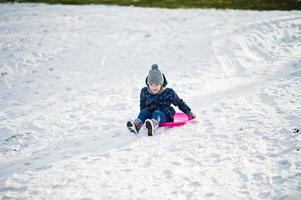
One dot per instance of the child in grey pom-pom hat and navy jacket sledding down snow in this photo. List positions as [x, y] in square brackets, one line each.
[155, 103]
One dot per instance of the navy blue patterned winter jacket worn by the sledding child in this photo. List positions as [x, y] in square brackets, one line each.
[162, 102]
